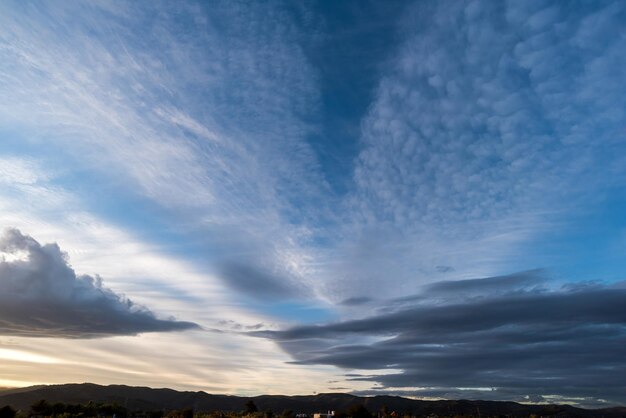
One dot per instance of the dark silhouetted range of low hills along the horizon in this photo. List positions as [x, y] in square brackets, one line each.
[144, 398]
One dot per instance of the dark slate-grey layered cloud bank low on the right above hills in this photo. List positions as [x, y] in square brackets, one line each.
[519, 337]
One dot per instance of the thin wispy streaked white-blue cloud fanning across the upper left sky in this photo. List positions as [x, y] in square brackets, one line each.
[130, 96]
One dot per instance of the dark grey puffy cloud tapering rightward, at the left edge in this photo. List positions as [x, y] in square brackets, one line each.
[41, 296]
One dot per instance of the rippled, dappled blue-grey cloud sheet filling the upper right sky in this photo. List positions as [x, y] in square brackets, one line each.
[487, 131]
